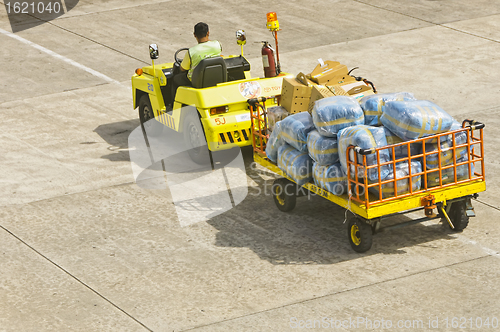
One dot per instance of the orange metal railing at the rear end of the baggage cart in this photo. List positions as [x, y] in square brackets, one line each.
[473, 162]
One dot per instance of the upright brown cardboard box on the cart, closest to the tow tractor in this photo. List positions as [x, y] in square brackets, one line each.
[295, 95]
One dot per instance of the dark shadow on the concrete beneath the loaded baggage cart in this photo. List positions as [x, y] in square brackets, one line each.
[312, 233]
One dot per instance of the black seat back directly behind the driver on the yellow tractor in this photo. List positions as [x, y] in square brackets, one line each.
[209, 72]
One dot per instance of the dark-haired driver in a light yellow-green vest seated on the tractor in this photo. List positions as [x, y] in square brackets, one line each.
[205, 49]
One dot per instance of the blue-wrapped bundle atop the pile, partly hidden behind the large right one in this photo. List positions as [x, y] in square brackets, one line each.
[374, 105]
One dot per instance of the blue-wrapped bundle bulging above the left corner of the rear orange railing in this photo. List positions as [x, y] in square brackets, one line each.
[366, 137]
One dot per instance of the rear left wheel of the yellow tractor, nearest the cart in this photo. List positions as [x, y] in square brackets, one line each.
[194, 139]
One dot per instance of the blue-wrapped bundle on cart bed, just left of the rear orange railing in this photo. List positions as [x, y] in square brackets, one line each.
[331, 178]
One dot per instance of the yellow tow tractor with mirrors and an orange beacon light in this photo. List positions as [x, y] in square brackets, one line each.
[213, 113]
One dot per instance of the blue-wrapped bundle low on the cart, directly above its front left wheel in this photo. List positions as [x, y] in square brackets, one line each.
[297, 165]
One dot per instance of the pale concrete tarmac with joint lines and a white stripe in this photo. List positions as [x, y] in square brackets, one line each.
[83, 247]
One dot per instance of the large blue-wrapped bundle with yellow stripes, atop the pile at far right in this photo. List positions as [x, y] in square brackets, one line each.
[415, 119]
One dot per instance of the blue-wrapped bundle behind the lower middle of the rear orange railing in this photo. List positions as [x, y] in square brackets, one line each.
[403, 185]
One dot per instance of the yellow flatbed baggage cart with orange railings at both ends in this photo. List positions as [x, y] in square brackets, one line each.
[450, 196]
